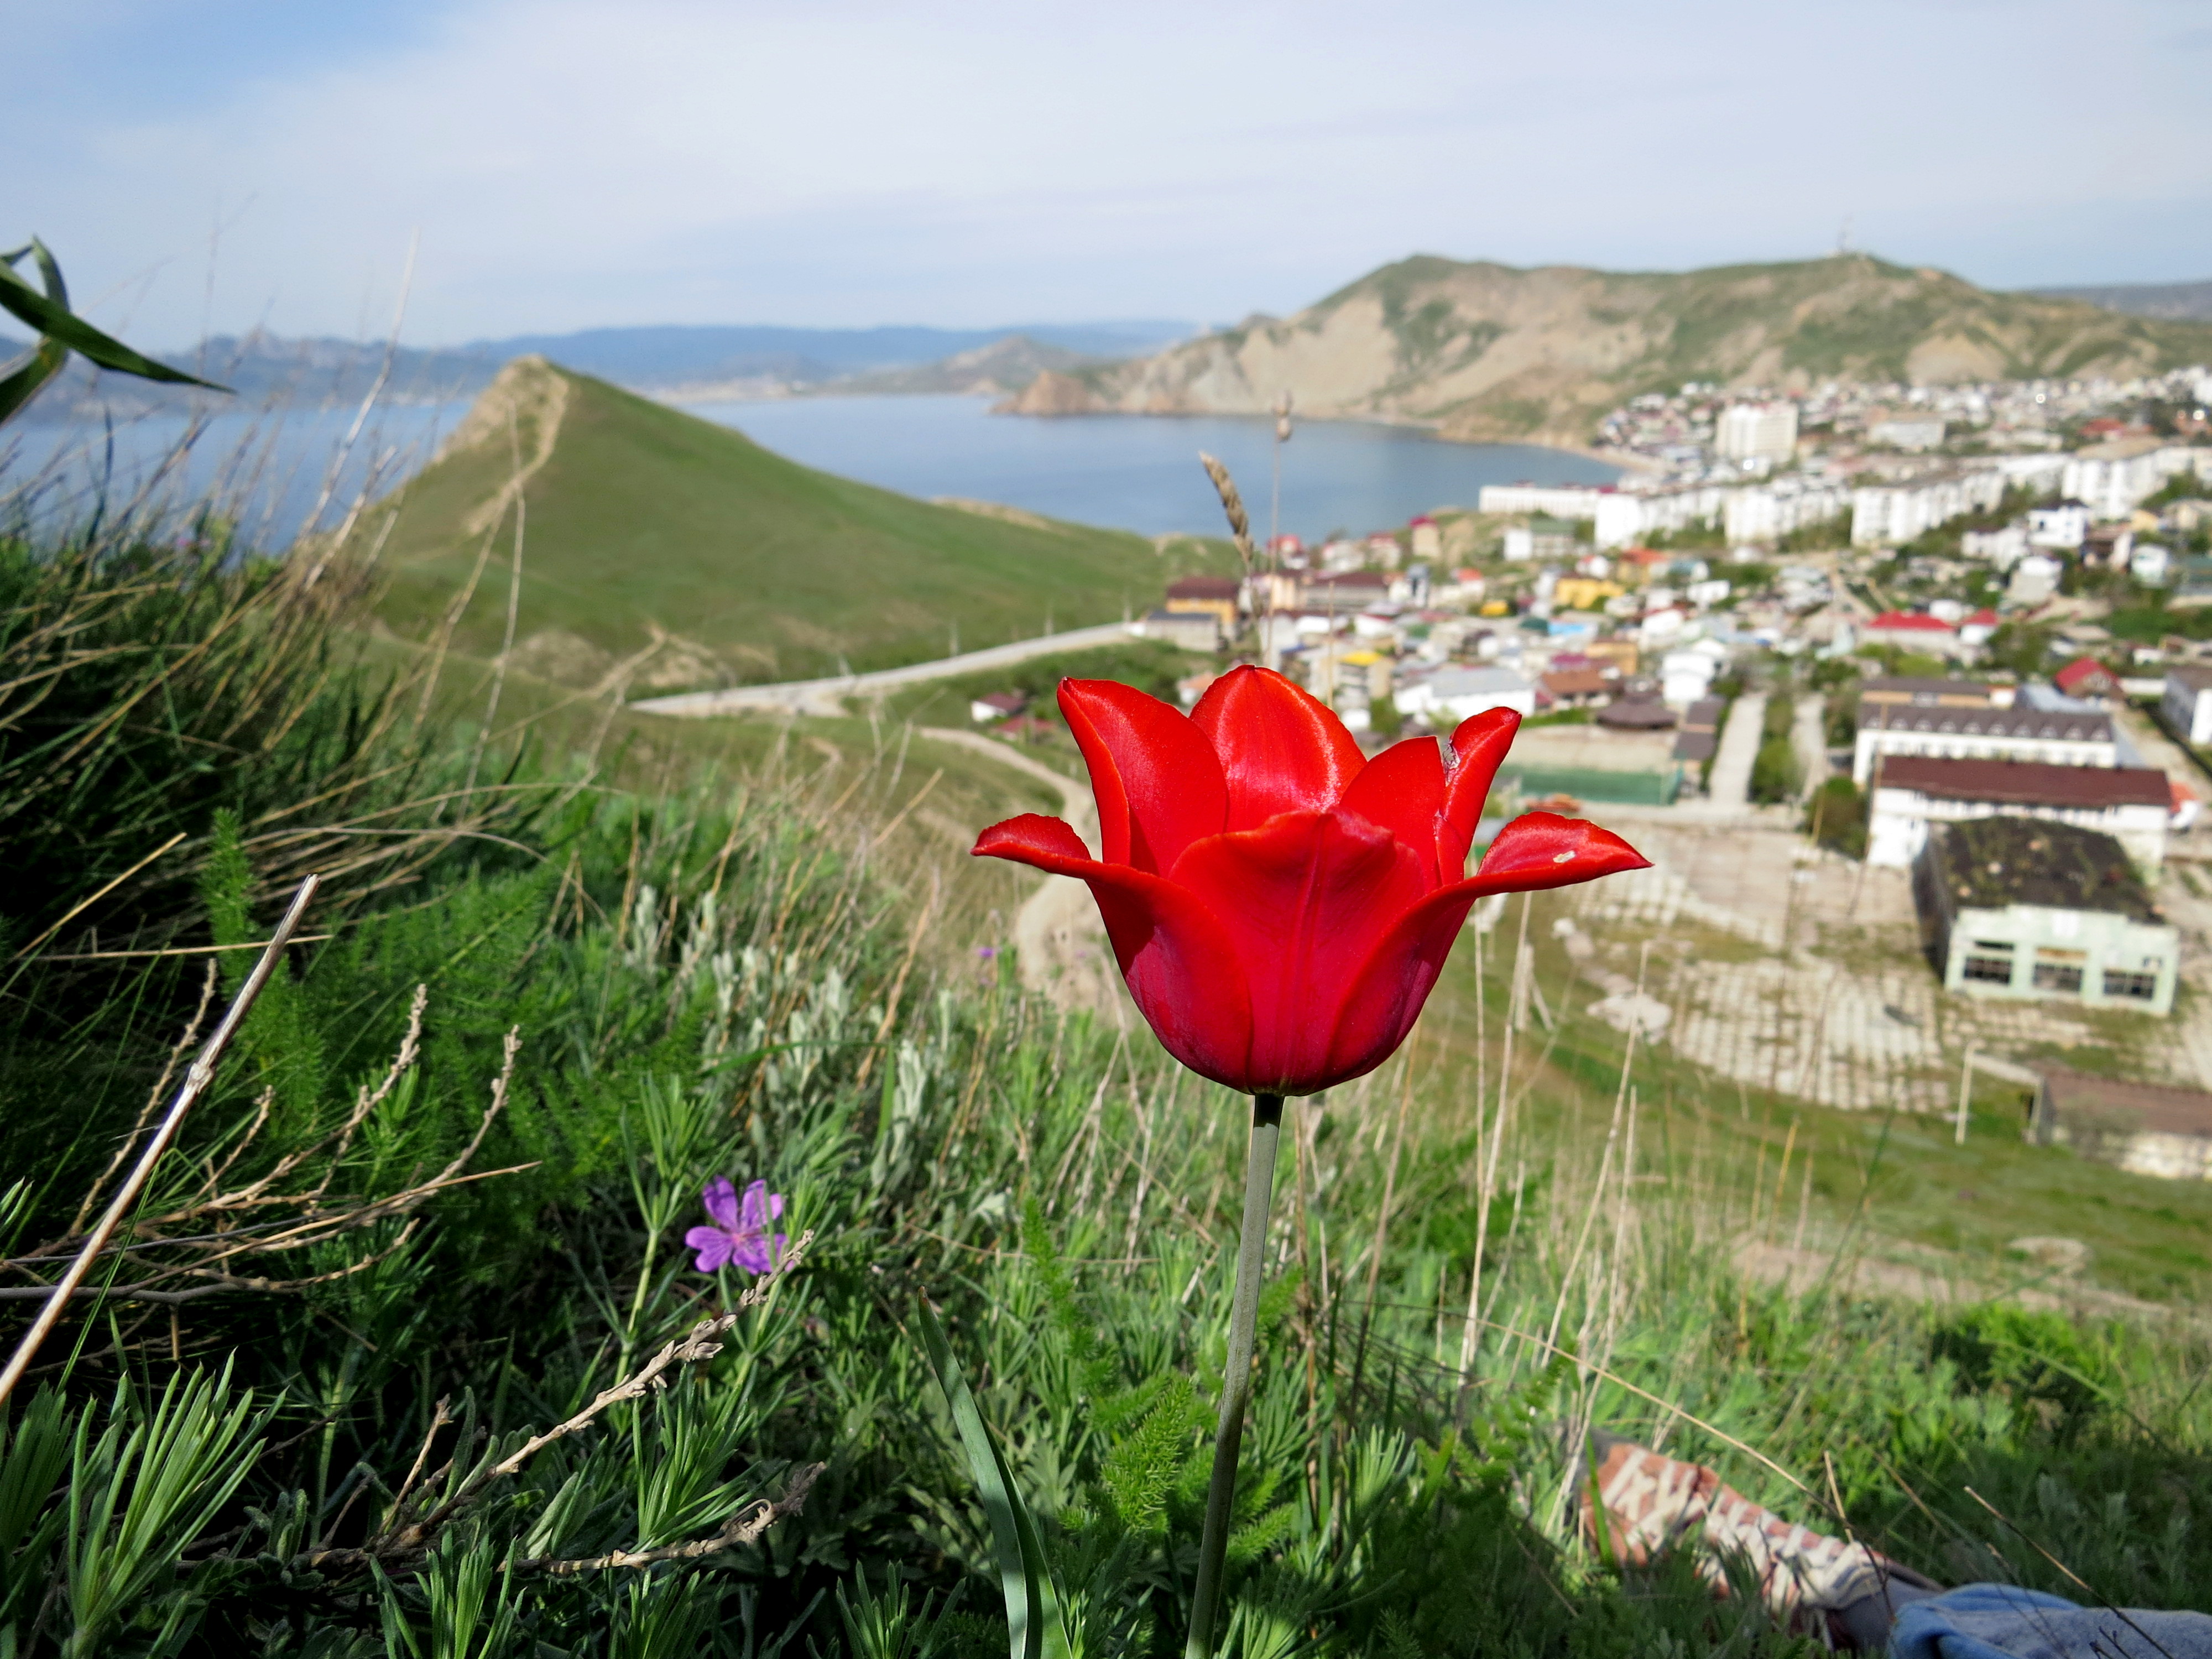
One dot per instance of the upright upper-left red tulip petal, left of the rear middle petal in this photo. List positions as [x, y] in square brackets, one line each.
[1154, 773]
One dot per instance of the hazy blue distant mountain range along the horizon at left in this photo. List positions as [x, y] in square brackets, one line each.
[662, 362]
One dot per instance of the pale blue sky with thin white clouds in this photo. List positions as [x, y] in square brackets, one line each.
[554, 165]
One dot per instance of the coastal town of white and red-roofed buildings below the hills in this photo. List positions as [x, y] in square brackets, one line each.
[1919, 711]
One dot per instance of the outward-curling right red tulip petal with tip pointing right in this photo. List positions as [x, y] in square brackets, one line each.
[1390, 988]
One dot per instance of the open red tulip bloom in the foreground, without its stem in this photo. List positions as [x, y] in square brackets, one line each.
[1282, 906]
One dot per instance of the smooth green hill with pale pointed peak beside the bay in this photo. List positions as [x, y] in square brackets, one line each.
[685, 554]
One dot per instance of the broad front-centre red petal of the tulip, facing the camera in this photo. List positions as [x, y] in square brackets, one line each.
[1304, 901]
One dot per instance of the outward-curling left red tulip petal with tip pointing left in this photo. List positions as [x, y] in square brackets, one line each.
[1173, 950]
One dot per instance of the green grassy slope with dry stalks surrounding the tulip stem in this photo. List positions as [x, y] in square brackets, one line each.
[724, 950]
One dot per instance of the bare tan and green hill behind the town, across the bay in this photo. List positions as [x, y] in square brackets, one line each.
[1499, 353]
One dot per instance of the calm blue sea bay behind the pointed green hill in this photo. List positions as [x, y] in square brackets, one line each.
[275, 472]
